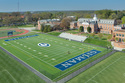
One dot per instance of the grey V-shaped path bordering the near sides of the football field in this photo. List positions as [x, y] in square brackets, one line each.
[67, 76]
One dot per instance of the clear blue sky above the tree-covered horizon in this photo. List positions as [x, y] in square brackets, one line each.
[53, 5]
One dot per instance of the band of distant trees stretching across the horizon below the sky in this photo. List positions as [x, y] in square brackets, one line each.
[28, 17]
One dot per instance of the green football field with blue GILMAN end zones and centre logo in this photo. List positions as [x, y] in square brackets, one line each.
[44, 52]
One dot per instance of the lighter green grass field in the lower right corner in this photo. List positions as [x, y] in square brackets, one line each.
[111, 70]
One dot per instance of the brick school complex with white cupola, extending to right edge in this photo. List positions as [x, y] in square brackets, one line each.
[106, 26]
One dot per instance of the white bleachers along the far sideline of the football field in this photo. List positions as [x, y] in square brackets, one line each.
[73, 37]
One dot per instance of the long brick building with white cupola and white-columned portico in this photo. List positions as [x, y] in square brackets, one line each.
[97, 25]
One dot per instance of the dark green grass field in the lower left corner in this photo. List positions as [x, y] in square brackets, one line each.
[12, 71]
